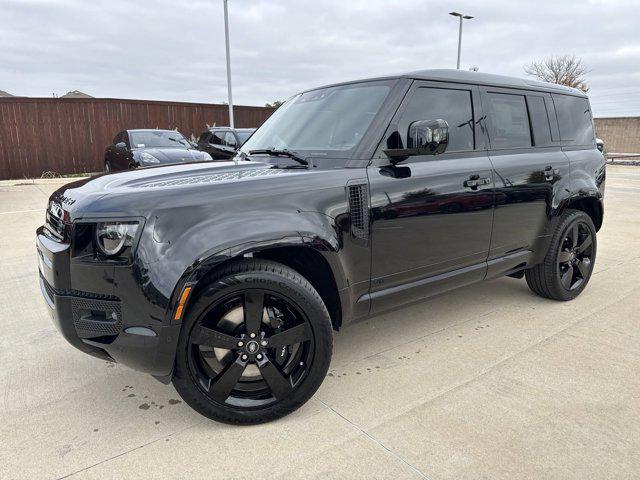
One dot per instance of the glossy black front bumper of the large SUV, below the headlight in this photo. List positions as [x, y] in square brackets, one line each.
[97, 324]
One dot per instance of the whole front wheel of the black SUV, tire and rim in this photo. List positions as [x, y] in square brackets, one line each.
[226, 374]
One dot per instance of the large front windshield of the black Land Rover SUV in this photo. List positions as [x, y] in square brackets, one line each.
[328, 121]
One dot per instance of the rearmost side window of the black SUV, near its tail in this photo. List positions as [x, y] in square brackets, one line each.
[574, 120]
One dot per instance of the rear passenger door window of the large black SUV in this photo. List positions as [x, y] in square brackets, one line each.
[508, 121]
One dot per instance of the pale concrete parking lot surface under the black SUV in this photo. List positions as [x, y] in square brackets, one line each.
[490, 381]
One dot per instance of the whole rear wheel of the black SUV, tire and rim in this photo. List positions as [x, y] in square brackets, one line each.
[568, 264]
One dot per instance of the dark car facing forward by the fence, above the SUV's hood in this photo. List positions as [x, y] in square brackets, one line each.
[149, 148]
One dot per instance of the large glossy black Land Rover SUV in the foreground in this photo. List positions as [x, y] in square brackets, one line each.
[351, 200]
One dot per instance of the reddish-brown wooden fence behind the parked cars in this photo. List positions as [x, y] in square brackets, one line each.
[66, 135]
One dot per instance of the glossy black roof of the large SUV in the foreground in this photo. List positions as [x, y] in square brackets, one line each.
[479, 78]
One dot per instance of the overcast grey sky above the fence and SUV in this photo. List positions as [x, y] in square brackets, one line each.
[174, 50]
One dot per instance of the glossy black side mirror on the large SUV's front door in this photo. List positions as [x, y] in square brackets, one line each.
[424, 137]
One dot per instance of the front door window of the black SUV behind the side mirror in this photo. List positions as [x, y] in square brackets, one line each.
[453, 106]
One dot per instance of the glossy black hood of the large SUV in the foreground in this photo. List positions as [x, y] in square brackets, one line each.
[140, 192]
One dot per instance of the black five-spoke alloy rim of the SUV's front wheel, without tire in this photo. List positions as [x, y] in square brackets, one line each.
[251, 350]
